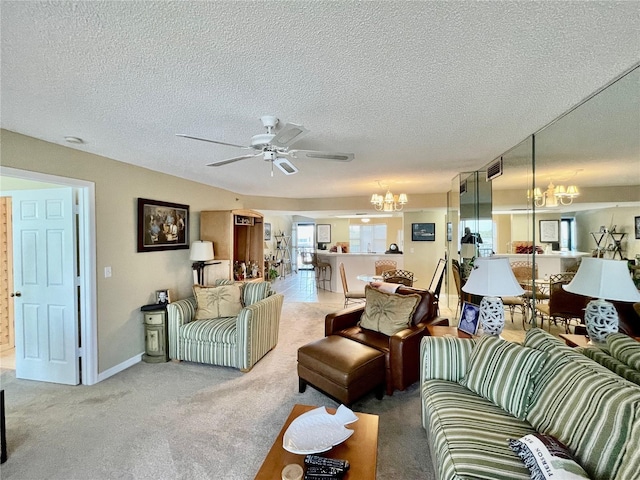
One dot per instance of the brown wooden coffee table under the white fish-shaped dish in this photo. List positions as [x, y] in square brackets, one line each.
[360, 449]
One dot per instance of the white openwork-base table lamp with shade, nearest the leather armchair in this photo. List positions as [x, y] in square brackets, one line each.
[492, 278]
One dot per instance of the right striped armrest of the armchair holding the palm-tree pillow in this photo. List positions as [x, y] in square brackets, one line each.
[257, 329]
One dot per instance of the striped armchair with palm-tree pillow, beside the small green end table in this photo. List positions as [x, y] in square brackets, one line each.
[238, 342]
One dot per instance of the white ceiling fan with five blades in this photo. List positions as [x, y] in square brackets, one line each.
[274, 147]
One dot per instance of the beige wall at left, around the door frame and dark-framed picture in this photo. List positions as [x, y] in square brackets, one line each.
[135, 276]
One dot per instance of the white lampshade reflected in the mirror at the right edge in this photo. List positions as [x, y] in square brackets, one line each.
[604, 278]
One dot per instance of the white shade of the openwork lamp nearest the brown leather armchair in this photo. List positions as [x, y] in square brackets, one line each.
[492, 277]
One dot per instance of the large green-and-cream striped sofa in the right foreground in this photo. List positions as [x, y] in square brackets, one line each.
[541, 386]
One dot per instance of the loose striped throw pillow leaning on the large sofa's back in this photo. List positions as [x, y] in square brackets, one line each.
[504, 372]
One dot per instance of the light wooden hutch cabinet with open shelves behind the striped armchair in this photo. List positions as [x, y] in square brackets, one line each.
[237, 235]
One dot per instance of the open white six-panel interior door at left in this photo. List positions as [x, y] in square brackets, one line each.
[45, 302]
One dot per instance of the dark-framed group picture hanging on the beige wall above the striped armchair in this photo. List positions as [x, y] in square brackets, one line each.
[162, 225]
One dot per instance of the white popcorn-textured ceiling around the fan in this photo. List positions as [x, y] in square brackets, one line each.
[418, 91]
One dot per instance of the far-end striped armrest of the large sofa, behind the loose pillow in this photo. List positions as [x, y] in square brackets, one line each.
[444, 358]
